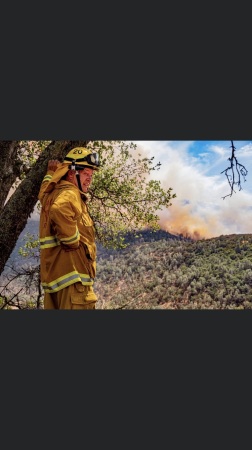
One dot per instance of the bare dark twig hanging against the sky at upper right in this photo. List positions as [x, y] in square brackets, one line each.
[234, 172]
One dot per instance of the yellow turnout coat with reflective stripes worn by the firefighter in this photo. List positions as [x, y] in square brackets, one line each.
[67, 237]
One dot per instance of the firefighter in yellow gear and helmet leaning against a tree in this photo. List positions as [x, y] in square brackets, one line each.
[66, 232]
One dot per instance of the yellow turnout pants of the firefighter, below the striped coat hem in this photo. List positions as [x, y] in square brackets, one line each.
[75, 296]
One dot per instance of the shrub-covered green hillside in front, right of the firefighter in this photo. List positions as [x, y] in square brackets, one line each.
[176, 273]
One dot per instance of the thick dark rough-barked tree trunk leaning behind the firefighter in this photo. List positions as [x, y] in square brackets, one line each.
[15, 213]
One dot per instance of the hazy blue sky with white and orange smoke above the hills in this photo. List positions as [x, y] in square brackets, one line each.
[193, 169]
